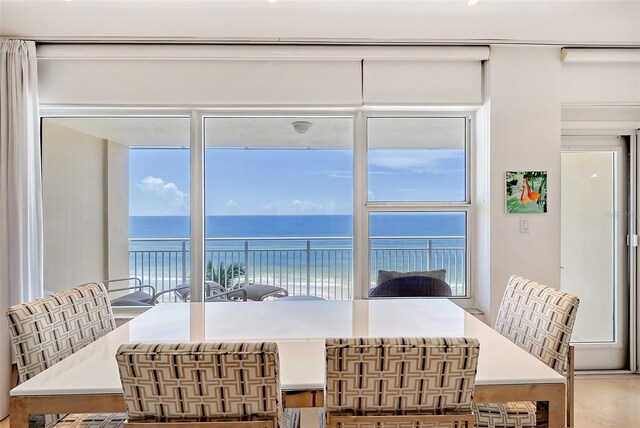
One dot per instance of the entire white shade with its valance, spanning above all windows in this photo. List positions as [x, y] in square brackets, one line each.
[168, 75]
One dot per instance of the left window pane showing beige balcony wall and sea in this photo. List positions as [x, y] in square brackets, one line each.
[116, 201]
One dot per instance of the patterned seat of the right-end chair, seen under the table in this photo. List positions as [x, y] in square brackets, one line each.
[515, 414]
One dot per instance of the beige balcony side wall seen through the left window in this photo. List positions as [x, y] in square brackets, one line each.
[74, 203]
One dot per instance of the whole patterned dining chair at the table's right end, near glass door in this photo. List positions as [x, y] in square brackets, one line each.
[540, 320]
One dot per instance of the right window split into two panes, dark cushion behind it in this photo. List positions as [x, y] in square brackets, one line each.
[417, 198]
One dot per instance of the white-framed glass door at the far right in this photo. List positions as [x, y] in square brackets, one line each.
[594, 251]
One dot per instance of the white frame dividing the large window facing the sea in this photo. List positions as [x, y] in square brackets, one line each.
[362, 207]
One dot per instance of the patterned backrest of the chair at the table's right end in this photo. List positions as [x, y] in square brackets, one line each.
[539, 319]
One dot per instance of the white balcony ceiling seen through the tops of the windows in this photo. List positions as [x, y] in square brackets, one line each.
[275, 131]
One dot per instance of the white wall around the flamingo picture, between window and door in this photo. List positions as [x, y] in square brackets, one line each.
[524, 112]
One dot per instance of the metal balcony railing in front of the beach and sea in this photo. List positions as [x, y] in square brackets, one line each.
[320, 266]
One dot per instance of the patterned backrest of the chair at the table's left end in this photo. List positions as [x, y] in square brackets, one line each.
[47, 330]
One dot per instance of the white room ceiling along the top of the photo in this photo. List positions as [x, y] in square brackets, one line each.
[568, 22]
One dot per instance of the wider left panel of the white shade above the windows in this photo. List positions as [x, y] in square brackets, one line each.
[194, 82]
